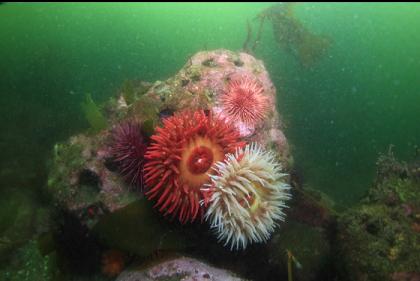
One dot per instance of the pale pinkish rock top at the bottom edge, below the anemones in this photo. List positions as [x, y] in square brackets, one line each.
[182, 268]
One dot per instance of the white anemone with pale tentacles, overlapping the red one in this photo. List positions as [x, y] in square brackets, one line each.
[248, 194]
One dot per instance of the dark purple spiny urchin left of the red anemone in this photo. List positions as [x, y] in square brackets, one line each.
[128, 149]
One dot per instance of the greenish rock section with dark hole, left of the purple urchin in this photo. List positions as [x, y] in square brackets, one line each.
[84, 183]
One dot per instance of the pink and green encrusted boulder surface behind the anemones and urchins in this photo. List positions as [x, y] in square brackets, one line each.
[83, 178]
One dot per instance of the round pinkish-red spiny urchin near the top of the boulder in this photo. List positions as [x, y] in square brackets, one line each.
[244, 101]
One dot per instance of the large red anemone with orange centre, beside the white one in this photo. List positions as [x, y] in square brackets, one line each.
[179, 161]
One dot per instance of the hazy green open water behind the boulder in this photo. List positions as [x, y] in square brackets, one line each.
[339, 114]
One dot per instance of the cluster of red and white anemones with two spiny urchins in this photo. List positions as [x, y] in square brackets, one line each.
[197, 167]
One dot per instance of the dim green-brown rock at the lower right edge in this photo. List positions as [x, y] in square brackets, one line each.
[378, 239]
